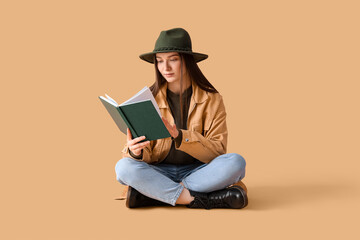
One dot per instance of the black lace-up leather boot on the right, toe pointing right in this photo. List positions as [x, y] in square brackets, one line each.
[232, 197]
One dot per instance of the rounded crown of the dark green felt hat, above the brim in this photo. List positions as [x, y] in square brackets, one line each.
[173, 39]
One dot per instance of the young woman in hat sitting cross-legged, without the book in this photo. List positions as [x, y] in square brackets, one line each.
[191, 168]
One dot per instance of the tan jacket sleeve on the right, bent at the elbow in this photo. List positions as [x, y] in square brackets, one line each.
[214, 141]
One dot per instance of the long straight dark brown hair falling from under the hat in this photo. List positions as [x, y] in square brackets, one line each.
[194, 73]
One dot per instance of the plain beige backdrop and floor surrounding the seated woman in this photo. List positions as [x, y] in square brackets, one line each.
[289, 75]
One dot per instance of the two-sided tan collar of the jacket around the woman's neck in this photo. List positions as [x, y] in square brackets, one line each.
[198, 96]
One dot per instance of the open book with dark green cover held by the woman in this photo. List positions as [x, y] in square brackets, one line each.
[140, 114]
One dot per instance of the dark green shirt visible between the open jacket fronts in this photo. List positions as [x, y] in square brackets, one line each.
[175, 156]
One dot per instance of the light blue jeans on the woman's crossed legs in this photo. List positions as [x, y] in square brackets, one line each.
[162, 181]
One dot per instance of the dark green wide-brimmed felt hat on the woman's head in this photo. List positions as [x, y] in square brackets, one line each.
[173, 40]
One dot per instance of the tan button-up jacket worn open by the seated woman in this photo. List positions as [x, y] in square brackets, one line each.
[206, 137]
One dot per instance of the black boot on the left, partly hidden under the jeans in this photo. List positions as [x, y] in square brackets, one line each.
[135, 199]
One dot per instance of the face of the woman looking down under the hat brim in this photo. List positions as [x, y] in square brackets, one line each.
[169, 65]
